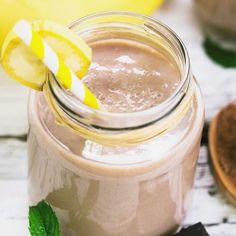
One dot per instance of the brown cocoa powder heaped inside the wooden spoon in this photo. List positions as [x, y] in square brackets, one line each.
[226, 140]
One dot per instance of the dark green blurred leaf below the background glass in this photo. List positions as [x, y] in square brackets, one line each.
[220, 55]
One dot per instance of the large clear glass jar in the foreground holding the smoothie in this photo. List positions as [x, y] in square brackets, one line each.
[117, 173]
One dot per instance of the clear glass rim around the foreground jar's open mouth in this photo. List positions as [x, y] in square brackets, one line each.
[71, 106]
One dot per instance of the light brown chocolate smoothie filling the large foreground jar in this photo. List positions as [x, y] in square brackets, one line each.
[101, 190]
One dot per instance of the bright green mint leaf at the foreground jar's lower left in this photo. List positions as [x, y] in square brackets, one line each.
[43, 221]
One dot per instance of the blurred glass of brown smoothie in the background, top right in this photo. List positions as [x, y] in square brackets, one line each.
[219, 20]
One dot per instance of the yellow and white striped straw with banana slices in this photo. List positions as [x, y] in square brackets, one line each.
[62, 72]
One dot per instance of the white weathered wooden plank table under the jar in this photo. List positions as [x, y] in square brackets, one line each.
[218, 86]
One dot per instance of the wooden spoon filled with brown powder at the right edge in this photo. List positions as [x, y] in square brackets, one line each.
[222, 146]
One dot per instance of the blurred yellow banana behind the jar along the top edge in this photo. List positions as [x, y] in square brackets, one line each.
[65, 11]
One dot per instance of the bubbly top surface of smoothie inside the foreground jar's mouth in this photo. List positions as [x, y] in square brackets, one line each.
[127, 76]
